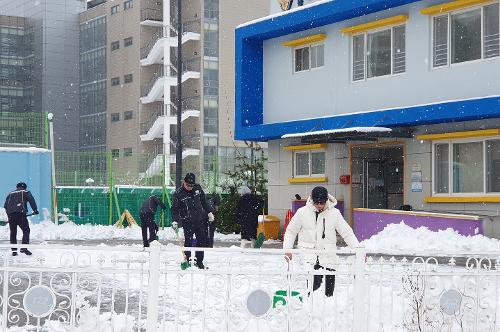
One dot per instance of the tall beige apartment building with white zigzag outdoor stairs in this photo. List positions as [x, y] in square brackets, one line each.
[135, 87]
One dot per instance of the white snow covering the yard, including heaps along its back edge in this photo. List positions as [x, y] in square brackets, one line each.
[196, 300]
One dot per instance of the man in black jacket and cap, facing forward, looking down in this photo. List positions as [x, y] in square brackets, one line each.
[191, 211]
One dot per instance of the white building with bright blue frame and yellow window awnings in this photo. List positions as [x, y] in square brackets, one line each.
[384, 102]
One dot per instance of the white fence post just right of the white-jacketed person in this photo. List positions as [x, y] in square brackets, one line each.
[359, 312]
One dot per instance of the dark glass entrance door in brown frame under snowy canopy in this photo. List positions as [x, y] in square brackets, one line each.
[377, 177]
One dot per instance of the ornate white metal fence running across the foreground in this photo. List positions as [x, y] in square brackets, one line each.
[69, 288]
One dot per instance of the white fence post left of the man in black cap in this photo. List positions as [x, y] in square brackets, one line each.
[153, 287]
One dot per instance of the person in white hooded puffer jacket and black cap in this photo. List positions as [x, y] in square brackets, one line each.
[316, 224]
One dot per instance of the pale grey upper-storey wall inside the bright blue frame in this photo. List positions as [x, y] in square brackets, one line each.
[289, 96]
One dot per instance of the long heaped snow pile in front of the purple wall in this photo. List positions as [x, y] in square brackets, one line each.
[400, 237]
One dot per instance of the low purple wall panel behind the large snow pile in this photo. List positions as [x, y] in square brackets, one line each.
[368, 223]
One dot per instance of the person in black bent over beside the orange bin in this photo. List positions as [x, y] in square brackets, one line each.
[247, 213]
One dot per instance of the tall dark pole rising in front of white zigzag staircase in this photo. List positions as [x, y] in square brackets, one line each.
[178, 152]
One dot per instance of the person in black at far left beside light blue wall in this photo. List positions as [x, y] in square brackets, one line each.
[16, 206]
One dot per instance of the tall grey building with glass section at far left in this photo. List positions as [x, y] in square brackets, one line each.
[48, 31]
